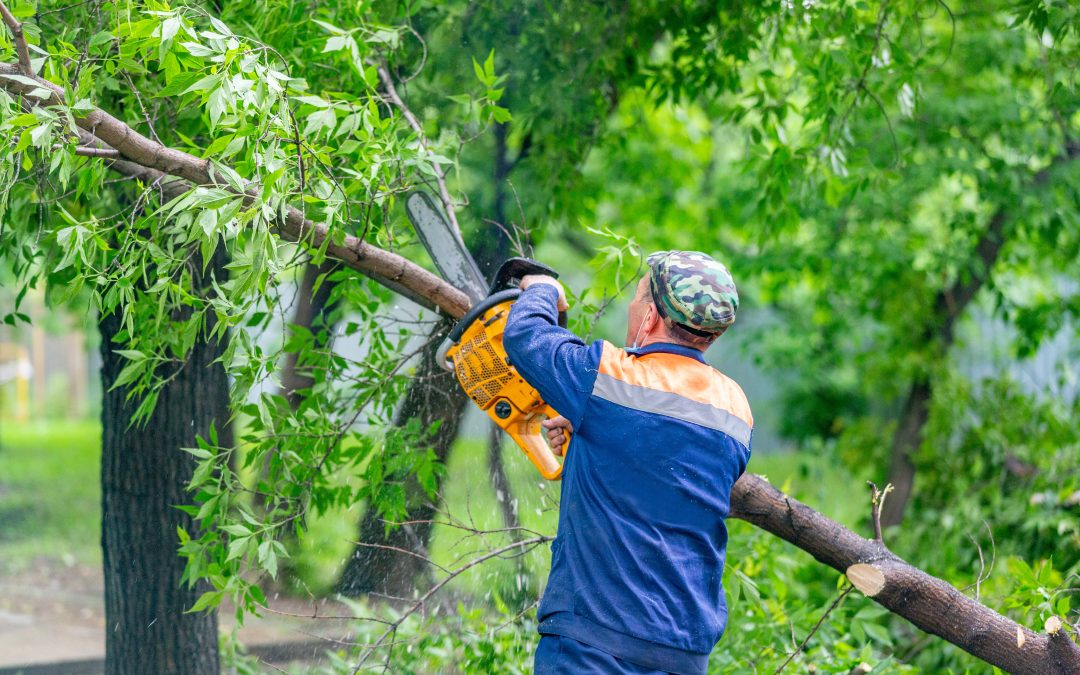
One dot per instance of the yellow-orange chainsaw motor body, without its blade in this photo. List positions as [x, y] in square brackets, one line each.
[483, 370]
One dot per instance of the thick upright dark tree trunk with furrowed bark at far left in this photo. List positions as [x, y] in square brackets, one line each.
[144, 476]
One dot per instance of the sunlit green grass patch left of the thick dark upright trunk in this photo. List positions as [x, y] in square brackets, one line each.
[50, 493]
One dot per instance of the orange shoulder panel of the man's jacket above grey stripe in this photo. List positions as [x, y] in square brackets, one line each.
[678, 375]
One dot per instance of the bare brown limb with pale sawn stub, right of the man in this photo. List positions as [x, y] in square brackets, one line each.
[930, 604]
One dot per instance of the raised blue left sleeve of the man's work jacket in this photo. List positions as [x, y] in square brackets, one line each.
[558, 363]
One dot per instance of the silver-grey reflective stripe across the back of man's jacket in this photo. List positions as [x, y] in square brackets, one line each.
[671, 406]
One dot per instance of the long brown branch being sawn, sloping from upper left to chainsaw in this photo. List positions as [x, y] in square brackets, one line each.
[151, 161]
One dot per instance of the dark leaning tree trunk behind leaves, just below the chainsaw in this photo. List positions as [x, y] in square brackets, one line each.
[435, 396]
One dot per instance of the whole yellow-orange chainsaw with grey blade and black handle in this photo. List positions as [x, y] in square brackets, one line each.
[474, 350]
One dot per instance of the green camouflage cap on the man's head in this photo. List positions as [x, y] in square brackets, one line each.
[694, 291]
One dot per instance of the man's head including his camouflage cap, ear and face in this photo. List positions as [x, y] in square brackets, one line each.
[687, 299]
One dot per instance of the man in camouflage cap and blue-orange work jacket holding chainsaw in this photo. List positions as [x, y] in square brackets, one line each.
[659, 438]
